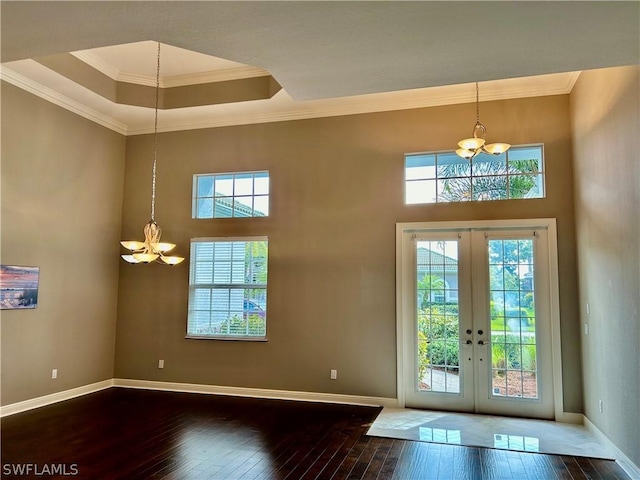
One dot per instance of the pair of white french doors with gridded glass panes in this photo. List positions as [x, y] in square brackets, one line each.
[476, 332]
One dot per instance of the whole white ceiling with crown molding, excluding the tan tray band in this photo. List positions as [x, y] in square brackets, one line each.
[331, 58]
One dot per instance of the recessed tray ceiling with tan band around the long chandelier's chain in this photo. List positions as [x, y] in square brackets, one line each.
[137, 87]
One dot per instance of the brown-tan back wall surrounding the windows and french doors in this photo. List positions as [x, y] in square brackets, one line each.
[336, 196]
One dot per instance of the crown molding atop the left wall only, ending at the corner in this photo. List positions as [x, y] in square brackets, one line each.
[57, 98]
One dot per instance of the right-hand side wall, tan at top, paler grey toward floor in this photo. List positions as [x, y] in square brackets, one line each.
[605, 113]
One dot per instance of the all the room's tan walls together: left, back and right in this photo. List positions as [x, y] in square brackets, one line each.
[336, 197]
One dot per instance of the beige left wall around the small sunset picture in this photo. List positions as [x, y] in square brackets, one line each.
[62, 178]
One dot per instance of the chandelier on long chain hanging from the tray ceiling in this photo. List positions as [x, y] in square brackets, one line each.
[152, 249]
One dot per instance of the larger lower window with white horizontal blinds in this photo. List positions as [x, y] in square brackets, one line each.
[228, 288]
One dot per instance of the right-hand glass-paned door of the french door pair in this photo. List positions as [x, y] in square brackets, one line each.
[512, 287]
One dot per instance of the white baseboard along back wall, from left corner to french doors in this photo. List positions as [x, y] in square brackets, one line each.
[257, 392]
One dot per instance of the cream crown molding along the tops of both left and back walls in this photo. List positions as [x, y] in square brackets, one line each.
[281, 108]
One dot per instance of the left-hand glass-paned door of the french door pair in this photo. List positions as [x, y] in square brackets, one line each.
[438, 345]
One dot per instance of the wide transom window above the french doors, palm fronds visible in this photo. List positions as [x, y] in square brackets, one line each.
[439, 177]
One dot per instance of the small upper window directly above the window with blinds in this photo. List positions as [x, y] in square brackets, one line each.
[231, 195]
